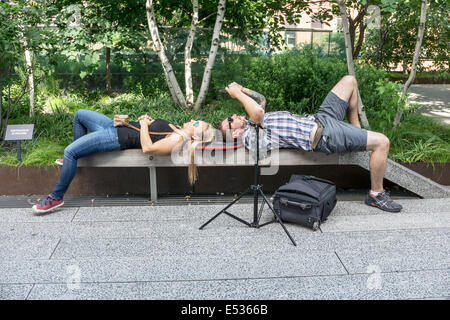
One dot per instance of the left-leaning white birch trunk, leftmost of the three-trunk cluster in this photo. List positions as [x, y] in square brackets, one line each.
[172, 82]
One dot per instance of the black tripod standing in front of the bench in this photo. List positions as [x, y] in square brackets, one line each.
[257, 191]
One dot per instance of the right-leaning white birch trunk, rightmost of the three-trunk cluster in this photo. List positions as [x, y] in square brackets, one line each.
[212, 55]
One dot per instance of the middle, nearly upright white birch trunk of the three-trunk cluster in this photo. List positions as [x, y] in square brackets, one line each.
[187, 56]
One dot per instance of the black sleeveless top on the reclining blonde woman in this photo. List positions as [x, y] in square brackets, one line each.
[130, 138]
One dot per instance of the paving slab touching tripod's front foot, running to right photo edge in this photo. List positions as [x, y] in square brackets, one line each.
[278, 244]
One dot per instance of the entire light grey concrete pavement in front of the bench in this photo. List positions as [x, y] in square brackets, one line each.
[158, 252]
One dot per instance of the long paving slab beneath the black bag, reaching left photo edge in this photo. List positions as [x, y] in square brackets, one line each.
[222, 226]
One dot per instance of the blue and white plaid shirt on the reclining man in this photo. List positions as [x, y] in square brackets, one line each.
[282, 129]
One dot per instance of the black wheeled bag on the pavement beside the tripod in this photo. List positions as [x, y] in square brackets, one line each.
[305, 200]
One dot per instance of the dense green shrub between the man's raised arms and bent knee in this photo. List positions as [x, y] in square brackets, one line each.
[296, 81]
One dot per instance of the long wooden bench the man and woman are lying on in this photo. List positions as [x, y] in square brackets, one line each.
[395, 172]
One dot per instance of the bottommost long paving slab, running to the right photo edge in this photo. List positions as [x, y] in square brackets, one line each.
[404, 285]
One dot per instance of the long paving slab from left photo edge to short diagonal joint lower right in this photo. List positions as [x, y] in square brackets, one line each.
[199, 268]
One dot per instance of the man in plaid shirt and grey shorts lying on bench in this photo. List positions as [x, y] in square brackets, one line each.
[324, 131]
